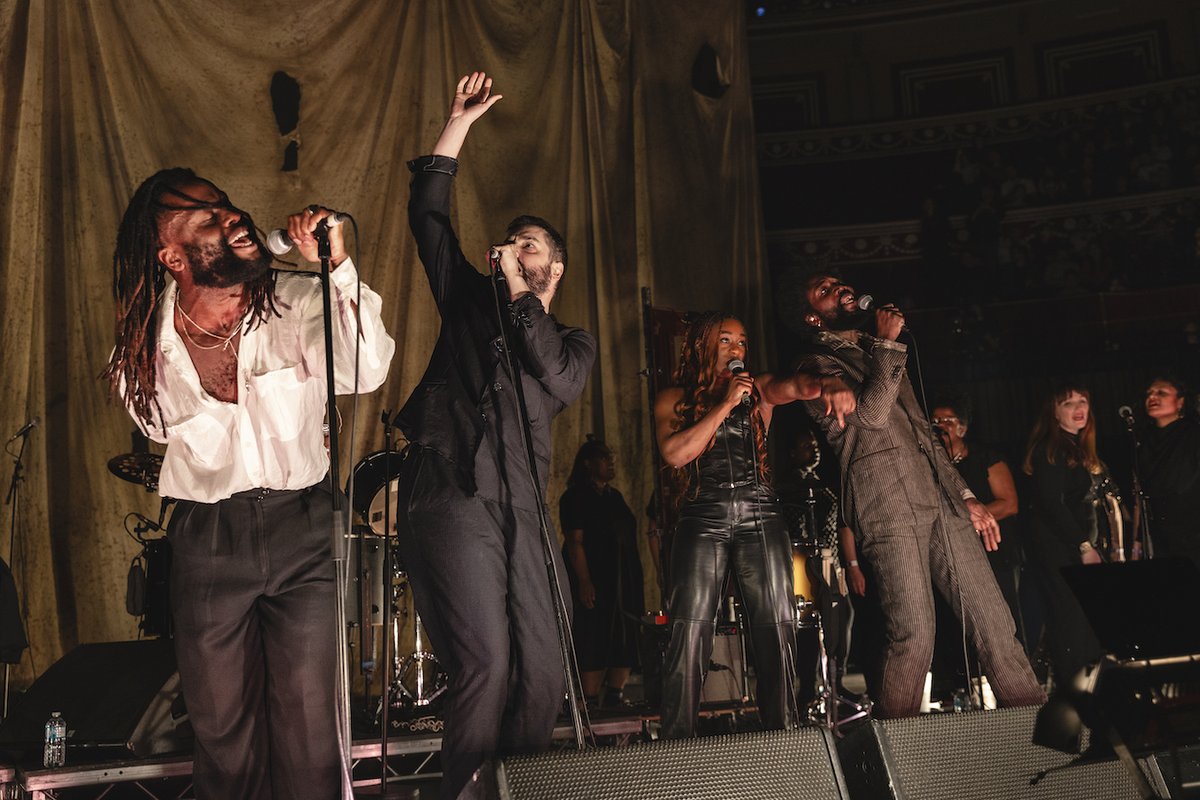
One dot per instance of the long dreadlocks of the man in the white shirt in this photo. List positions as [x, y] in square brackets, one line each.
[139, 284]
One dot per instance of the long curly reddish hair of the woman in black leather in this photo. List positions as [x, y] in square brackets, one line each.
[701, 380]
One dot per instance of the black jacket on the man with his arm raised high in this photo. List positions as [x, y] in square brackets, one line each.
[466, 396]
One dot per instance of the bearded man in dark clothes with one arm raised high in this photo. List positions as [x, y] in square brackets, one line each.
[471, 538]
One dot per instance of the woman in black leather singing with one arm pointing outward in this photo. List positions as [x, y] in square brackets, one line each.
[712, 431]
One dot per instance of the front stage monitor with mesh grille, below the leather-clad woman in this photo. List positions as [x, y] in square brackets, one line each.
[772, 766]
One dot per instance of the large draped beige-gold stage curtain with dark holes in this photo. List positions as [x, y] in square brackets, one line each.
[599, 131]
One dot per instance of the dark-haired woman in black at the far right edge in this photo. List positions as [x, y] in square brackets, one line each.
[1169, 468]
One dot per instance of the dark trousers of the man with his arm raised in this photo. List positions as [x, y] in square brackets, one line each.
[482, 587]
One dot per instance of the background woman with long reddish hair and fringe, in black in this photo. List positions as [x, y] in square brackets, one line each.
[1065, 468]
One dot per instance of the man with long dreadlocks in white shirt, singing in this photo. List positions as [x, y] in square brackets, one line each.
[223, 359]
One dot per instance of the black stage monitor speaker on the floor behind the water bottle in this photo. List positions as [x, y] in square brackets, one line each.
[115, 696]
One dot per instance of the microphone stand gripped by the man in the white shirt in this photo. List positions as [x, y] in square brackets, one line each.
[338, 536]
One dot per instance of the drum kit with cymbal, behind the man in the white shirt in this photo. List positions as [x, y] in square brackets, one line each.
[415, 679]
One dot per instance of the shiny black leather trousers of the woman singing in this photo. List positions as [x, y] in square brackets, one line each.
[730, 531]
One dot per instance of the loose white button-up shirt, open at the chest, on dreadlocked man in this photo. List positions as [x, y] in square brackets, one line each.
[272, 437]
